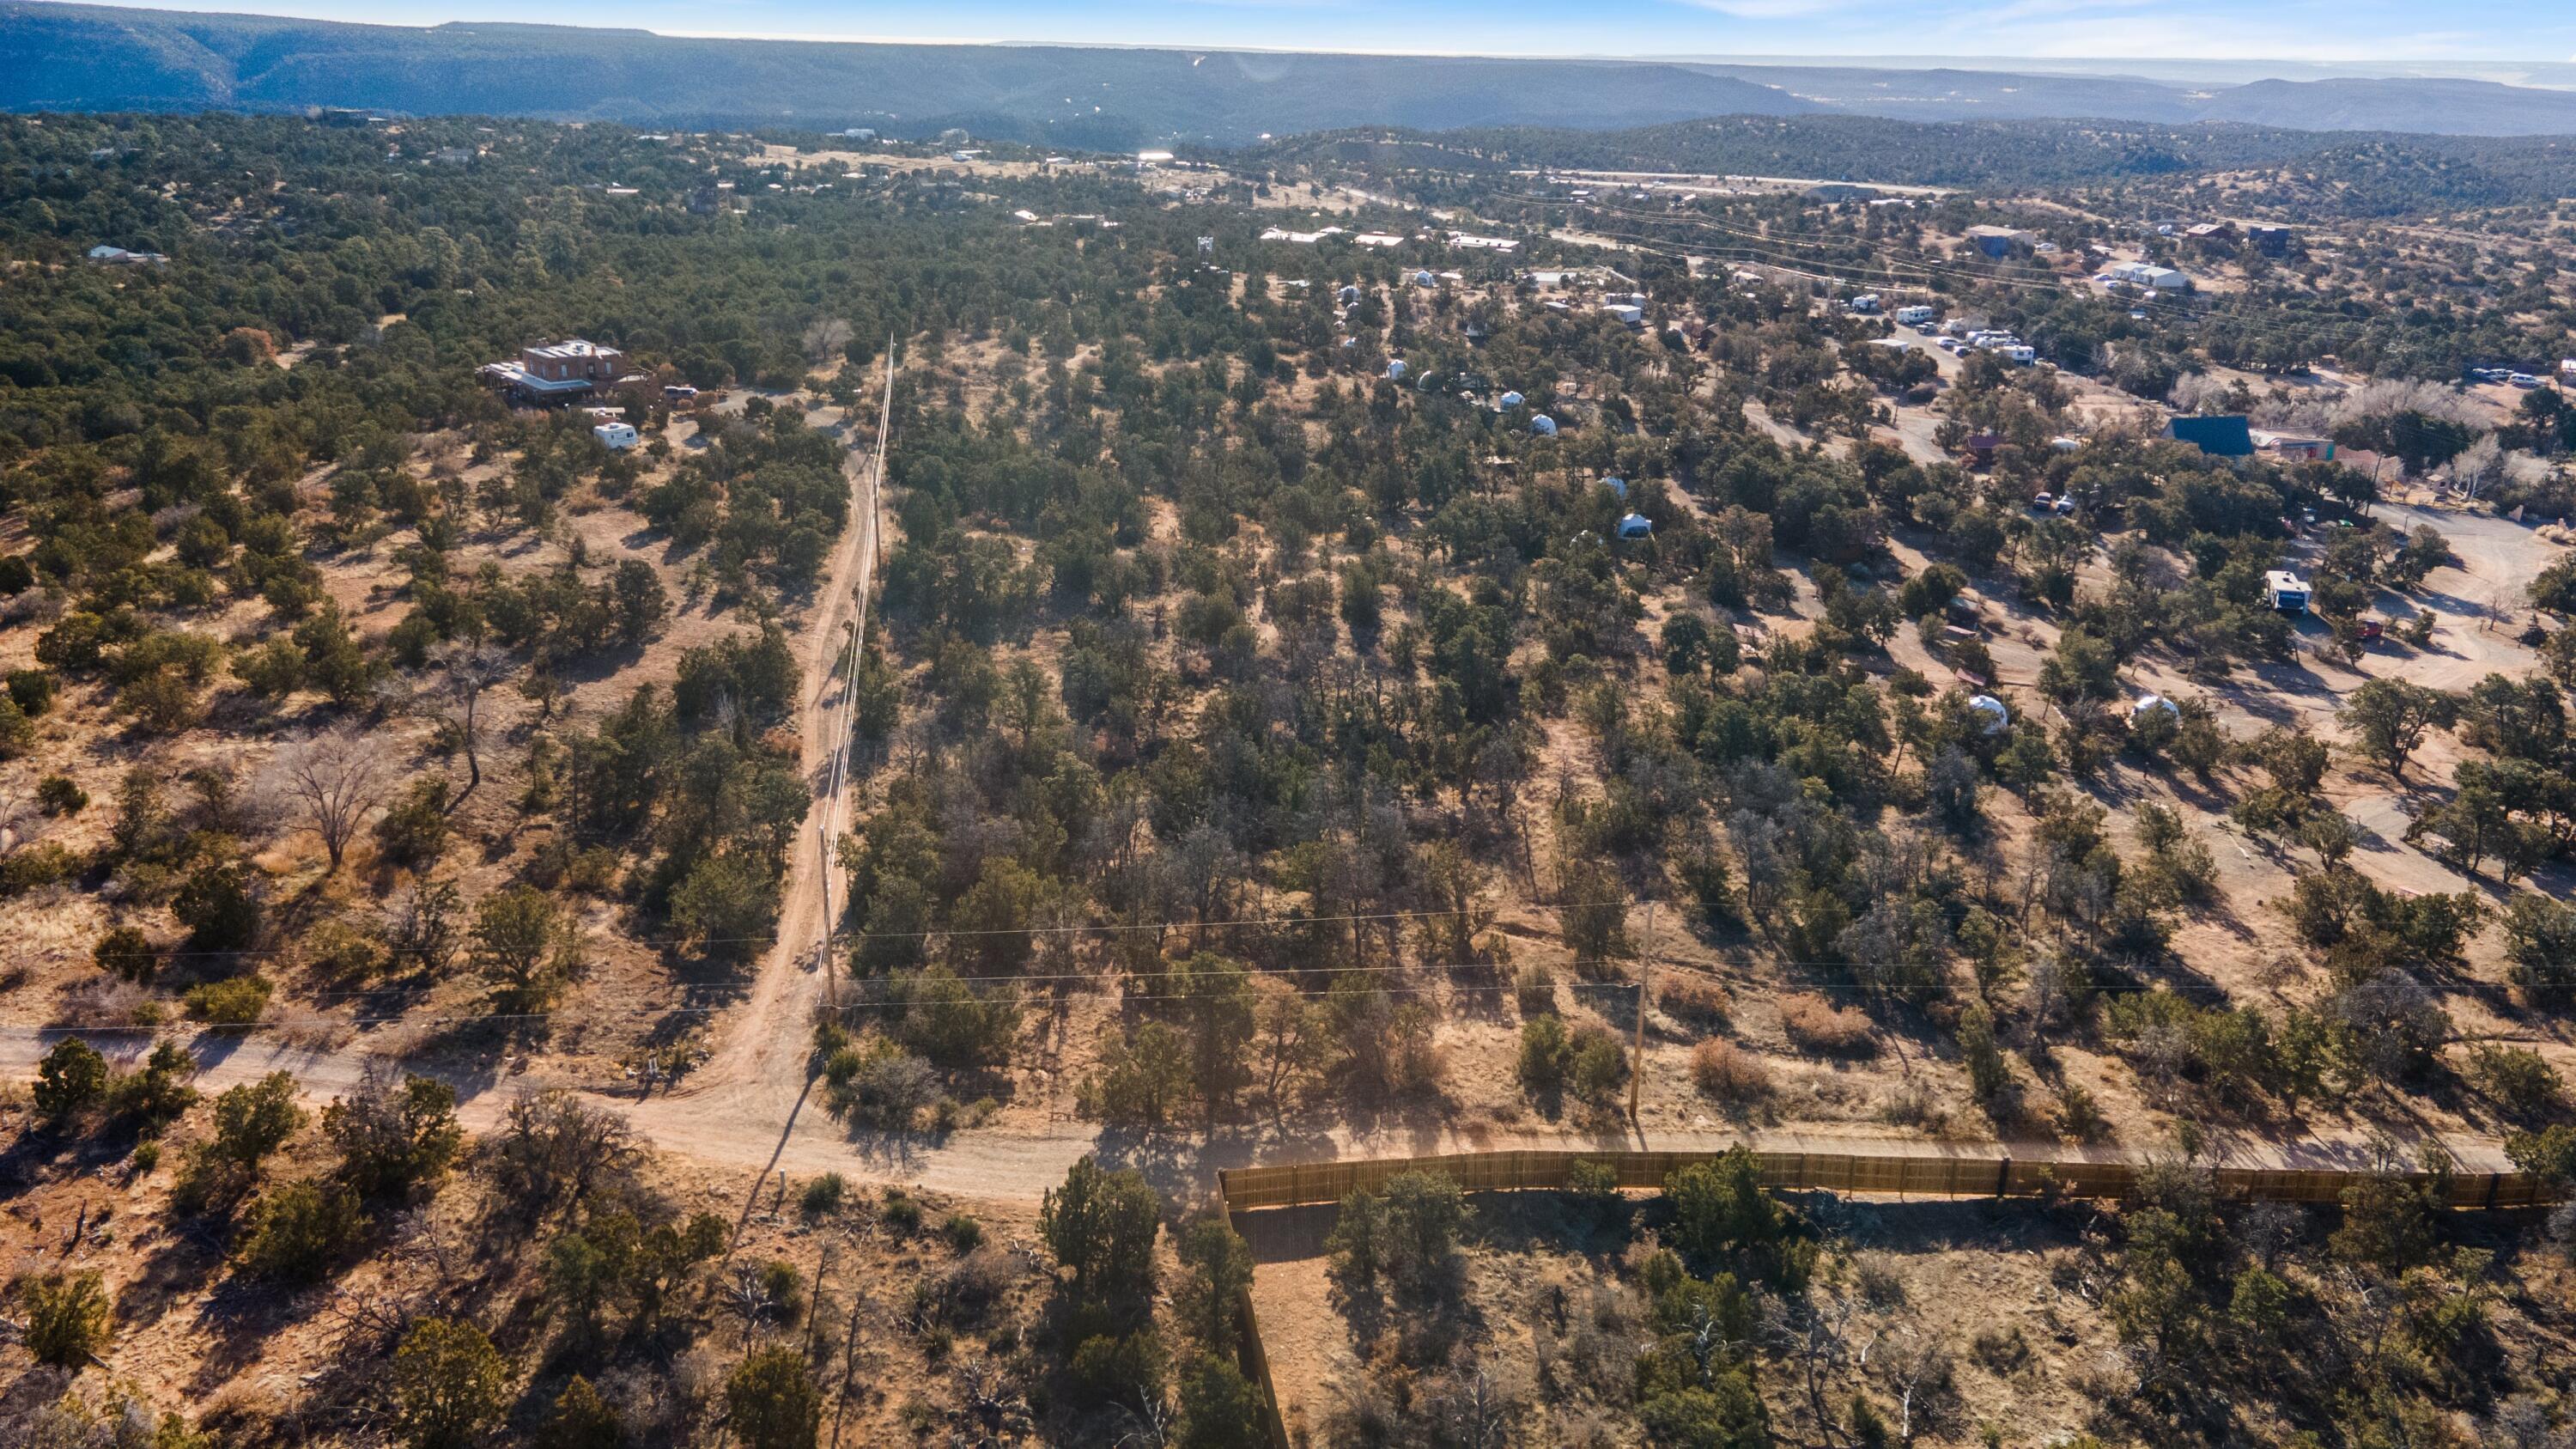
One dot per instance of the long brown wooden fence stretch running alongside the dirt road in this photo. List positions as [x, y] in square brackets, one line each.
[1884, 1174]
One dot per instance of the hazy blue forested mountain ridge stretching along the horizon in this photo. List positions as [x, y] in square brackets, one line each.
[91, 58]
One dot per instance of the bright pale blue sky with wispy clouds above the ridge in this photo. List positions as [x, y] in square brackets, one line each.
[2407, 32]
